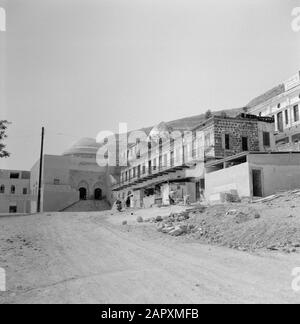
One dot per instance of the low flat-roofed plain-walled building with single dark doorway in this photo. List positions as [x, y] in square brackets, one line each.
[252, 174]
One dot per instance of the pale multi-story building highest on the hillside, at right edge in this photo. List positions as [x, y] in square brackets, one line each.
[283, 103]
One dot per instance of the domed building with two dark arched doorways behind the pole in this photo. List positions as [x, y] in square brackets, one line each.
[71, 177]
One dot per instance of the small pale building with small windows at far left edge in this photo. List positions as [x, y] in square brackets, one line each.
[14, 191]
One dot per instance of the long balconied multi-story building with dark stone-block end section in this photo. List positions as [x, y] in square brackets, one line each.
[168, 164]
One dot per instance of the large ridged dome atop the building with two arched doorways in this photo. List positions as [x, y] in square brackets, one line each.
[85, 147]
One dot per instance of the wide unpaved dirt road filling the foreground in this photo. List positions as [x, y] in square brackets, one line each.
[91, 258]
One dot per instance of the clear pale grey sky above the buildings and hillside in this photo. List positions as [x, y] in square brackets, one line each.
[77, 67]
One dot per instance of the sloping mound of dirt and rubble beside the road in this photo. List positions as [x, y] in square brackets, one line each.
[272, 224]
